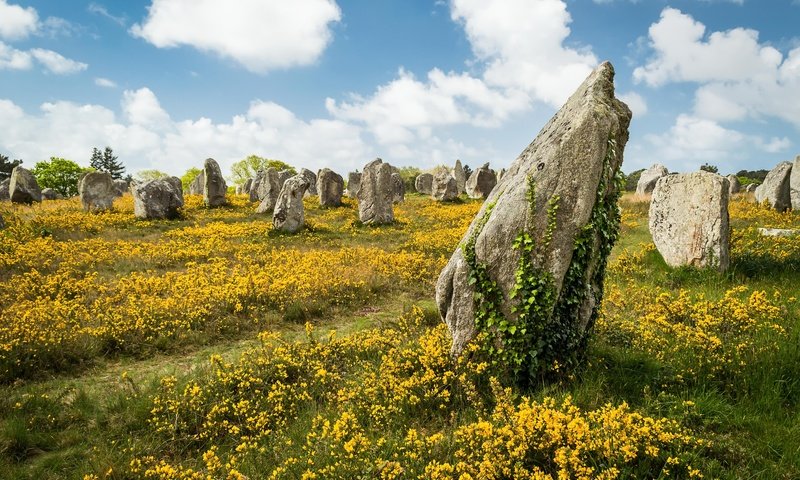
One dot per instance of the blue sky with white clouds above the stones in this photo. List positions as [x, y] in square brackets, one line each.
[336, 83]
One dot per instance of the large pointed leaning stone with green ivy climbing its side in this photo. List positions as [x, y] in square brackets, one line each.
[572, 163]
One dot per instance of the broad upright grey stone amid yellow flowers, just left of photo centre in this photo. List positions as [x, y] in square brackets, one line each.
[375, 193]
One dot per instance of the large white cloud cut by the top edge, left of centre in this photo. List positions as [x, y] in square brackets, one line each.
[261, 35]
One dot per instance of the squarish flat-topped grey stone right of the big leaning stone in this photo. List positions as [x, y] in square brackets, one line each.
[689, 220]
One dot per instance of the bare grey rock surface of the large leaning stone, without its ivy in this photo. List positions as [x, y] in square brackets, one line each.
[569, 160]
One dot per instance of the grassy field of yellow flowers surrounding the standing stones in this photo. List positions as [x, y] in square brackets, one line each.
[213, 348]
